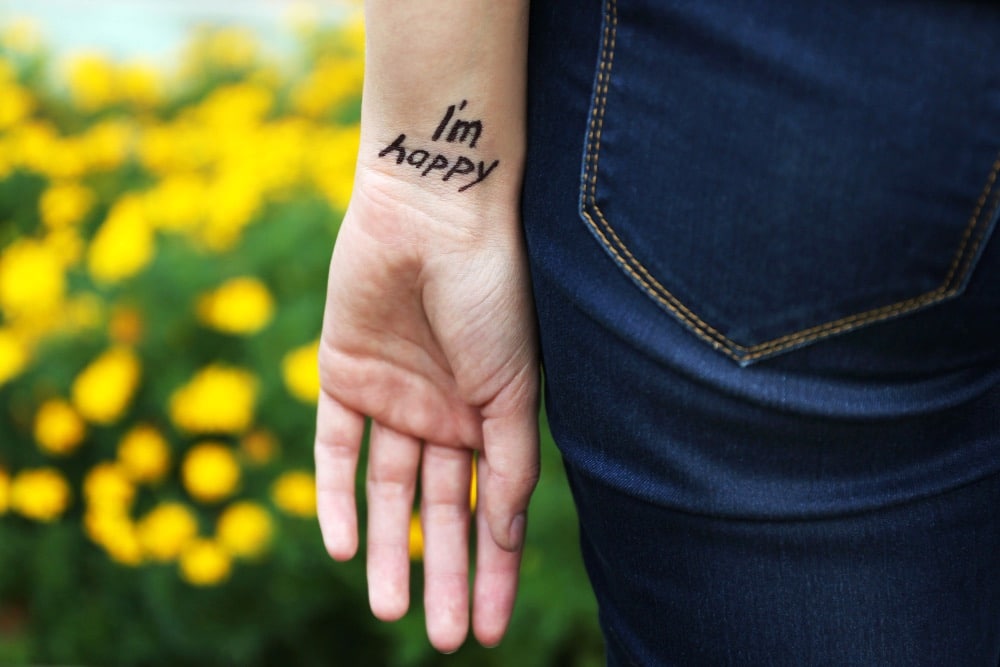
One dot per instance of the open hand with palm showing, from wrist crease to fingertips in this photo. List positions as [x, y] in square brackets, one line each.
[429, 330]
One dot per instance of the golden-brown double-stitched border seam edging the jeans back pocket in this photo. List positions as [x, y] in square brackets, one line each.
[958, 271]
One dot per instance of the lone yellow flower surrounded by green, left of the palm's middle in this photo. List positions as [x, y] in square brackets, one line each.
[238, 306]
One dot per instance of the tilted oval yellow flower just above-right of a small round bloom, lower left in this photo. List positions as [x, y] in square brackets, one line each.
[102, 391]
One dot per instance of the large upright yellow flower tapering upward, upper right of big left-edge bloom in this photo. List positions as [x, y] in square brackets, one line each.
[123, 245]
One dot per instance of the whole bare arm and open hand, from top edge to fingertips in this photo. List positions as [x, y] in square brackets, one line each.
[429, 328]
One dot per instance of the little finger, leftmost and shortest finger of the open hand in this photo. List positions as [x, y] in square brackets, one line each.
[338, 439]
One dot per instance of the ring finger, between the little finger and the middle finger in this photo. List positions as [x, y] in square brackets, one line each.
[393, 460]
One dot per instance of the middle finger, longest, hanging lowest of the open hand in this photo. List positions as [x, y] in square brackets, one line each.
[444, 512]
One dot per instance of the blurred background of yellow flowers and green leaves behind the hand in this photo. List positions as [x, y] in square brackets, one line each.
[172, 175]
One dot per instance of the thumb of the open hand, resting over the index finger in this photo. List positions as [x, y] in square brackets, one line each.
[508, 480]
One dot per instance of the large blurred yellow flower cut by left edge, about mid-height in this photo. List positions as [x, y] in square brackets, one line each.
[31, 278]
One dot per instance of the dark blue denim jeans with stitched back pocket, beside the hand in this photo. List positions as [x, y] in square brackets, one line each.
[768, 285]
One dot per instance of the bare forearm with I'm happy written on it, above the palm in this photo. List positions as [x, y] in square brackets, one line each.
[443, 106]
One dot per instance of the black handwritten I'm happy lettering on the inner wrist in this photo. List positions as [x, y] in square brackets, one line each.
[465, 170]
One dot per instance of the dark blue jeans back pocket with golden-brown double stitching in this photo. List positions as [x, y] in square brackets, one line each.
[771, 181]
